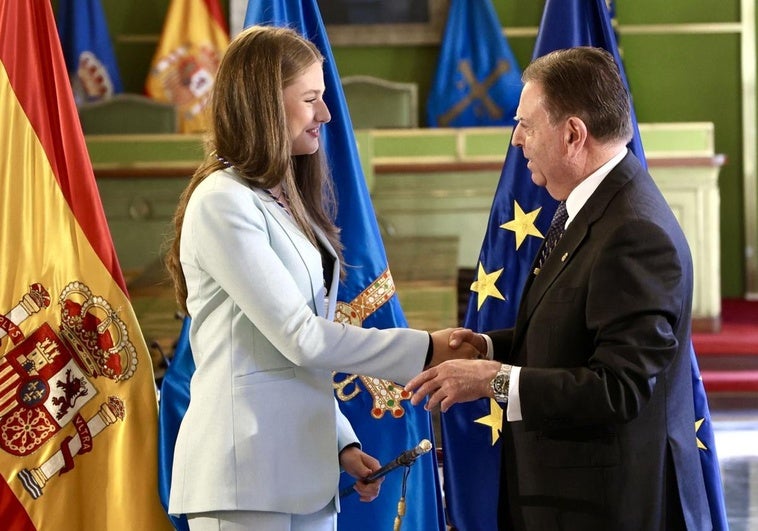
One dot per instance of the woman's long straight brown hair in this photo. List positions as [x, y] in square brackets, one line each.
[249, 131]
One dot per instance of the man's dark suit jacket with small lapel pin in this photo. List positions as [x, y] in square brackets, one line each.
[607, 440]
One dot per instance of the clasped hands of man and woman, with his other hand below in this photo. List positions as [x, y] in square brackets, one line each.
[458, 372]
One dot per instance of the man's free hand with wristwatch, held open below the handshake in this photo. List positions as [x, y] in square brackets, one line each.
[452, 382]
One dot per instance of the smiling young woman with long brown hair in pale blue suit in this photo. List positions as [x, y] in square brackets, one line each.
[256, 262]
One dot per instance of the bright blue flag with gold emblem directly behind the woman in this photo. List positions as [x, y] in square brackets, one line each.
[380, 411]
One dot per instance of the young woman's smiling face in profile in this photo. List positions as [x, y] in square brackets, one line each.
[305, 109]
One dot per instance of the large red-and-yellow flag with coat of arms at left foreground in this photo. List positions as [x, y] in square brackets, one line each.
[78, 408]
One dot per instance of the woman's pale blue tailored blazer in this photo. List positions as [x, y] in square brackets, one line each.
[263, 430]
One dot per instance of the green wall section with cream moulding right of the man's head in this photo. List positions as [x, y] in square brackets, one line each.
[686, 77]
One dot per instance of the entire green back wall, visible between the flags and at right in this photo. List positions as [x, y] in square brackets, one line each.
[673, 77]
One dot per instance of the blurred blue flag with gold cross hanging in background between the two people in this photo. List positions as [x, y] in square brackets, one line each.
[478, 80]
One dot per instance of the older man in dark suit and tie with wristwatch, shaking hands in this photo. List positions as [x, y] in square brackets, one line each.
[596, 372]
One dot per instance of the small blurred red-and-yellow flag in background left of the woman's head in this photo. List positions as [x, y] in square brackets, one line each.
[194, 38]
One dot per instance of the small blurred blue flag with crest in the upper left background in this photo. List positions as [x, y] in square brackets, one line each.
[87, 48]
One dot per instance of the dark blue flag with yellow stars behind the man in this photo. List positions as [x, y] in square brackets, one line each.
[519, 218]
